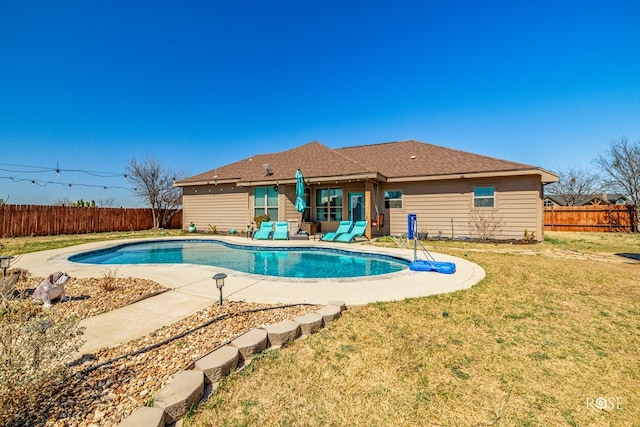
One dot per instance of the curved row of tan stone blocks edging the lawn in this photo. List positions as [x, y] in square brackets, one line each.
[187, 388]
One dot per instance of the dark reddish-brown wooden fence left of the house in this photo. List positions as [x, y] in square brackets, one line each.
[37, 220]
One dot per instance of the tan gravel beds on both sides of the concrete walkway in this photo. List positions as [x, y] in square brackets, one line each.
[106, 395]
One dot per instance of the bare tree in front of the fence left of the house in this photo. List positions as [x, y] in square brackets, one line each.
[154, 184]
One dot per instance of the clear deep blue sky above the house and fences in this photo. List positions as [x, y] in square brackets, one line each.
[86, 86]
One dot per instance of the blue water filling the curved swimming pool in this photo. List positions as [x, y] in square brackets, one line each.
[299, 262]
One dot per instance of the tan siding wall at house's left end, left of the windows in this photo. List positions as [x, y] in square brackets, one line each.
[224, 207]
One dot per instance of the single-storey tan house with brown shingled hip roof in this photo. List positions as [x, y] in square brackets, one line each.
[453, 193]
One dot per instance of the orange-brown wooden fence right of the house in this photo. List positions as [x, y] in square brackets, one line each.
[602, 218]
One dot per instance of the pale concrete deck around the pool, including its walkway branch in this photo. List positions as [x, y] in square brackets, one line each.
[192, 287]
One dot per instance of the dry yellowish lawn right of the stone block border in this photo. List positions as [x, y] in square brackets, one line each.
[535, 344]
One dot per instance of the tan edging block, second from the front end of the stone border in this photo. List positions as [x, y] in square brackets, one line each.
[184, 390]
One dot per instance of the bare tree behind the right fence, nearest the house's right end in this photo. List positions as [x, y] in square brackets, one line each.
[575, 185]
